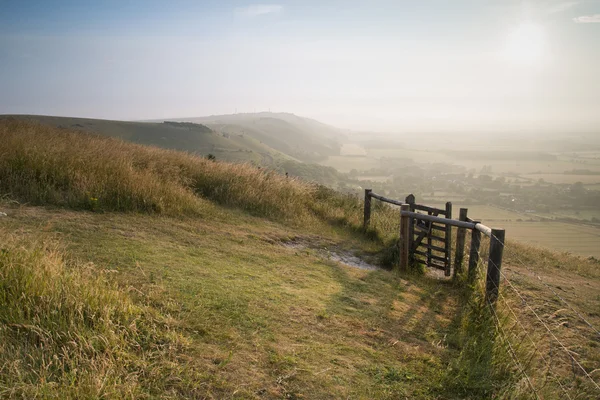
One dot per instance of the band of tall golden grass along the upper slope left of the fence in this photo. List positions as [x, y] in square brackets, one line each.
[44, 165]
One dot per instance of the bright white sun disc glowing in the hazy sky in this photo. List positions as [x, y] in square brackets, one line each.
[525, 45]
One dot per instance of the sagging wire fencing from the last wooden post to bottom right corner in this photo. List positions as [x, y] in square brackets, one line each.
[524, 331]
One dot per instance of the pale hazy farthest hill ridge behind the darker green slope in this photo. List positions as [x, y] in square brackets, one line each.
[302, 138]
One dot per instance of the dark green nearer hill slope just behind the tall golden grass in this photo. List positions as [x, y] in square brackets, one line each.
[192, 137]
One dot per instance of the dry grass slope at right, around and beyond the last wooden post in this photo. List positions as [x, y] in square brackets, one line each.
[537, 323]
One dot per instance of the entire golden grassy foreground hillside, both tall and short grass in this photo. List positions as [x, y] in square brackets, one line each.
[129, 271]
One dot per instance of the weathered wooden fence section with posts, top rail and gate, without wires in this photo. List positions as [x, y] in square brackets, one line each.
[418, 232]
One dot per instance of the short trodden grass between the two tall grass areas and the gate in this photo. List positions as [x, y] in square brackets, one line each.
[264, 319]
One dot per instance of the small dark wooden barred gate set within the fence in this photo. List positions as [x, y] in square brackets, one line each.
[430, 242]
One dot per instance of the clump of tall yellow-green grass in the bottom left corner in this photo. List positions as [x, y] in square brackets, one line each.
[65, 332]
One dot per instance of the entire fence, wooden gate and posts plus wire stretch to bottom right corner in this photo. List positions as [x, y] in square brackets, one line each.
[560, 353]
